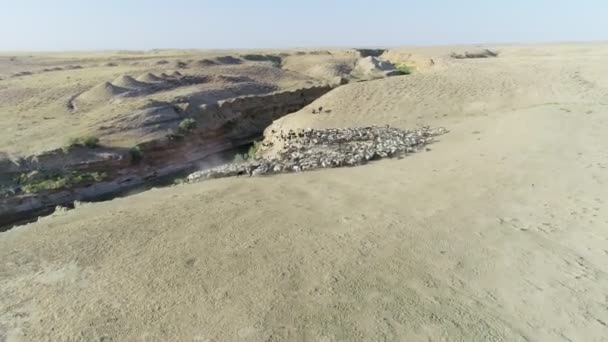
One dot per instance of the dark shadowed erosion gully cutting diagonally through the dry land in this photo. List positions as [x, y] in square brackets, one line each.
[233, 125]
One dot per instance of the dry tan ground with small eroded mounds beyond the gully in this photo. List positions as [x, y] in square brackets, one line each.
[46, 99]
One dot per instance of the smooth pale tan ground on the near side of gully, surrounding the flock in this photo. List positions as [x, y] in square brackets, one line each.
[498, 233]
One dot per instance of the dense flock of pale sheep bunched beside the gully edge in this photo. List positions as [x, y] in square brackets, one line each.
[311, 149]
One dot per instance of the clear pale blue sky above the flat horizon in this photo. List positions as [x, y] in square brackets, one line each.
[42, 25]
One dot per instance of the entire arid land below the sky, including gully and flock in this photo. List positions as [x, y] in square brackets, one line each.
[440, 193]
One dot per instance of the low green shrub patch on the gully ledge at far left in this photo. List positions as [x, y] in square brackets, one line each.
[56, 181]
